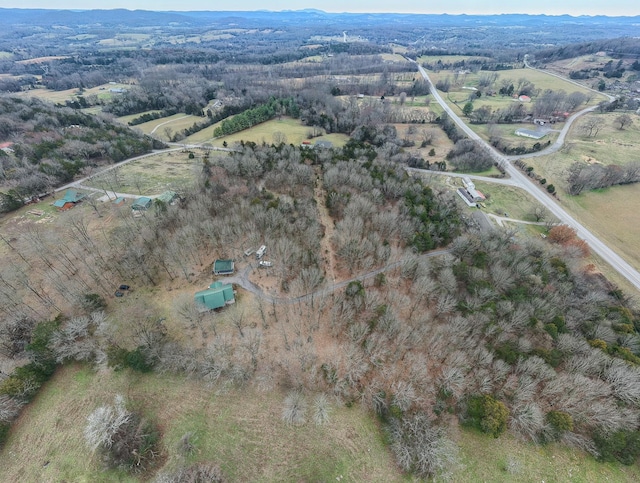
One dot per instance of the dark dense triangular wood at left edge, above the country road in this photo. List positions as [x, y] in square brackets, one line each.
[53, 144]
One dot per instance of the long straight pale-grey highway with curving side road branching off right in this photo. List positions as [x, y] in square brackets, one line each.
[525, 183]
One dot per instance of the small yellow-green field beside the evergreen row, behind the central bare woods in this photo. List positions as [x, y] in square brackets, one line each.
[267, 132]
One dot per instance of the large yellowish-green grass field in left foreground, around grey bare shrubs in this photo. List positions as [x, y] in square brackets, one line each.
[241, 430]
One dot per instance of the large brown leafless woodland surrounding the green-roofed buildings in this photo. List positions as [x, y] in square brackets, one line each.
[506, 335]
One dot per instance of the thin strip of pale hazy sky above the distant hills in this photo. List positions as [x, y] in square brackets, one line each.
[550, 7]
